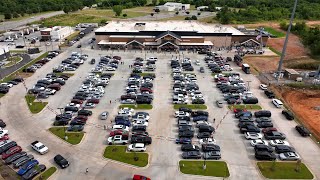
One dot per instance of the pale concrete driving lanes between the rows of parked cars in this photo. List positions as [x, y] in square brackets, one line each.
[164, 154]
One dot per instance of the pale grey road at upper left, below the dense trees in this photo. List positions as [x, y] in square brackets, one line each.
[13, 24]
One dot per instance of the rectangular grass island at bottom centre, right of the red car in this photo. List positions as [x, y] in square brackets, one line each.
[214, 168]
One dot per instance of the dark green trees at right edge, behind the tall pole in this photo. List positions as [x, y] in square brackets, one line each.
[310, 36]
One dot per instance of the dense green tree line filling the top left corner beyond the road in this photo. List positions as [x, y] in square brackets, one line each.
[16, 8]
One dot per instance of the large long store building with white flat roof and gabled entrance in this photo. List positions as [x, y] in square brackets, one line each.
[169, 35]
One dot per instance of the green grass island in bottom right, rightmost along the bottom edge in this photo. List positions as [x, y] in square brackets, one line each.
[284, 170]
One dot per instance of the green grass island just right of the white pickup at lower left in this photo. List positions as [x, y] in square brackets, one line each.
[73, 137]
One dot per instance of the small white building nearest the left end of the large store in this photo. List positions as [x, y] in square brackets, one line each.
[56, 33]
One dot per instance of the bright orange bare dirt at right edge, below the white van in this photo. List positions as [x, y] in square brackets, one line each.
[303, 103]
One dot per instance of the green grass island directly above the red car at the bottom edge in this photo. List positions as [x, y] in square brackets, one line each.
[118, 153]
